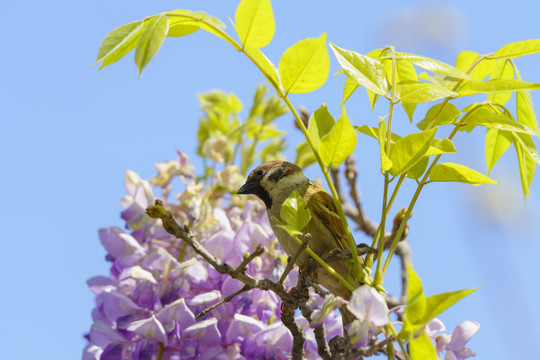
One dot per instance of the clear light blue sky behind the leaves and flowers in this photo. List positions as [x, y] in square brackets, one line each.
[68, 133]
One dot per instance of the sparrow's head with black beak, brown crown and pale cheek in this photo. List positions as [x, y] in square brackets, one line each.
[273, 180]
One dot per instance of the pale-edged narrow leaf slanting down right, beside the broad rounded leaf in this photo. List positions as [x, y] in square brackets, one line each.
[363, 69]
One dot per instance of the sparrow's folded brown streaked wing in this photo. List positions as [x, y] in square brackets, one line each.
[321, 205]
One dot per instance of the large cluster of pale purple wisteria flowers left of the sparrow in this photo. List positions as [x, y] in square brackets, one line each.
[147, 307]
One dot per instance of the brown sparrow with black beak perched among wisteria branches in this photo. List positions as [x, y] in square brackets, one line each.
[273, 182]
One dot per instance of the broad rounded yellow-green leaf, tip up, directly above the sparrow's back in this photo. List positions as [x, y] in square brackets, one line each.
[304, 66]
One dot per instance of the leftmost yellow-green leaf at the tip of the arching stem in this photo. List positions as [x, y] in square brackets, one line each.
[119, 42]
